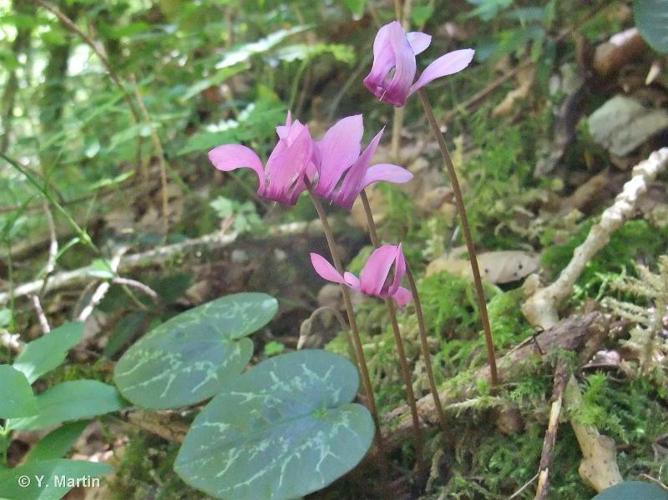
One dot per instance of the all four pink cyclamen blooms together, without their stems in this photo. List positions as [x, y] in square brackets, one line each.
[335, 168]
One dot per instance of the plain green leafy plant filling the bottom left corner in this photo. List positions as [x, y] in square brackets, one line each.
[69, 405]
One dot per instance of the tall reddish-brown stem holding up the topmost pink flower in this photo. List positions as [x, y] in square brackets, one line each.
[470, 246]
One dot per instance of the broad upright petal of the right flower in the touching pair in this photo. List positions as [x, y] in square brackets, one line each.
[338, 150]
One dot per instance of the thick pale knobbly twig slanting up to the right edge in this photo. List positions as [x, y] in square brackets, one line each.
[541, 309]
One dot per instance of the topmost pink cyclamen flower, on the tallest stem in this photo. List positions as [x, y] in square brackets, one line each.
[392, 76]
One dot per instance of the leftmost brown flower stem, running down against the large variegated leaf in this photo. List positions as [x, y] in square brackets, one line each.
[357, 342]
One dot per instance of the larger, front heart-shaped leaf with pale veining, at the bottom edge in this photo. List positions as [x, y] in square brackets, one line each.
[284, 429]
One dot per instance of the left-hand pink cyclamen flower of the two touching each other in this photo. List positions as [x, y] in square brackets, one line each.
[282, 179]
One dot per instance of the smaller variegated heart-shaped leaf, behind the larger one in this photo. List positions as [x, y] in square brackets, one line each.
[192, 356]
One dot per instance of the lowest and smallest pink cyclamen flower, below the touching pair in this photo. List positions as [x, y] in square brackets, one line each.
[376, 278]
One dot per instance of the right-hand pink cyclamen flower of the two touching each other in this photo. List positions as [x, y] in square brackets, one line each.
[342, 172]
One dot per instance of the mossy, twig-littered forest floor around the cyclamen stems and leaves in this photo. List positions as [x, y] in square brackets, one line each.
[544, 143]
